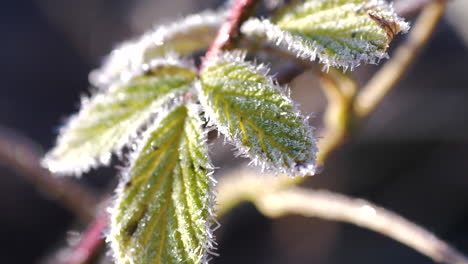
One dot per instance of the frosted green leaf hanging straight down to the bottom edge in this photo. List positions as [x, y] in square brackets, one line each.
[163, 208]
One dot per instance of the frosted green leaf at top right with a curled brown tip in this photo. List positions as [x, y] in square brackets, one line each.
[338, 32]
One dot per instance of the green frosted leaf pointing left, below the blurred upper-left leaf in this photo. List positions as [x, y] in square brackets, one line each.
[108, 120]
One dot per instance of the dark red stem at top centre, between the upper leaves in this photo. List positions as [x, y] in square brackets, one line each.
[229, 30]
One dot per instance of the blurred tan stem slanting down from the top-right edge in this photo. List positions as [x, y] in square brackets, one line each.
[386, 78]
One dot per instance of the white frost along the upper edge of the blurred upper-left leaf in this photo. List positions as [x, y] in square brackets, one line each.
[128, 57]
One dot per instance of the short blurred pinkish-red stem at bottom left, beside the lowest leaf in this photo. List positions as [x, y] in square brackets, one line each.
[90, 243]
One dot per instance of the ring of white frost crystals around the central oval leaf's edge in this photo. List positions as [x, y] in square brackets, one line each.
[307, 168]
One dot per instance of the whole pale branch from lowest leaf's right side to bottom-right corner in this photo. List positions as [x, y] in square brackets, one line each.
[273, 200]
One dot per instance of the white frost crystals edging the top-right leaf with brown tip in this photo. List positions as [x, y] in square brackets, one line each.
[306, 49]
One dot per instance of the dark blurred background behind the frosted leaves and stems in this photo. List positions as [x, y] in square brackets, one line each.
[411, 157]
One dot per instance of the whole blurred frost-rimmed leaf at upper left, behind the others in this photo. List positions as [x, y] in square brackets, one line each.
[183, 37]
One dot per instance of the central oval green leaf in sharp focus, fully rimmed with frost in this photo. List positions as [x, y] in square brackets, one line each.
[253, 112]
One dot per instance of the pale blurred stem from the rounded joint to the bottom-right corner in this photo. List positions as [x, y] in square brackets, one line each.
[337, 207]
